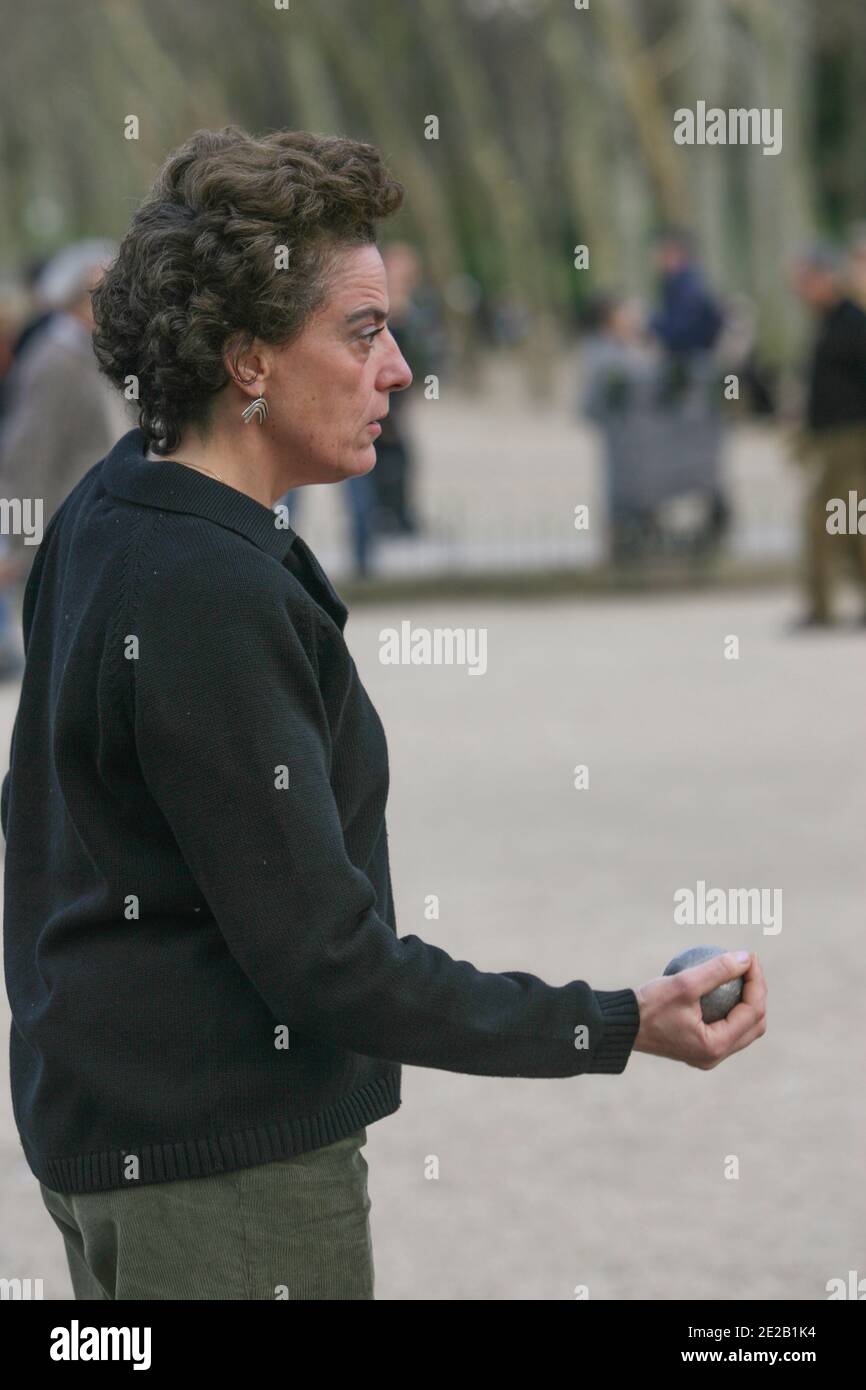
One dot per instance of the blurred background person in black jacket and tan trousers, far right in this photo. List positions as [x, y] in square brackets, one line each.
[833, 440]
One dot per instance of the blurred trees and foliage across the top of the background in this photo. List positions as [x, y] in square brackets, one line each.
[555, 127]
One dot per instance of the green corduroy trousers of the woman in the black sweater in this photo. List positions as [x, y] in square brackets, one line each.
[294, 1229]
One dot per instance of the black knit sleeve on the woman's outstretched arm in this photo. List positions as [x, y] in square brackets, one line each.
[227, 712]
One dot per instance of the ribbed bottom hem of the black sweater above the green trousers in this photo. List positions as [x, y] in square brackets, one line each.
[222, 1153]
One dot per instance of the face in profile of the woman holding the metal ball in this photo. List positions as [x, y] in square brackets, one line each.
[326, 389]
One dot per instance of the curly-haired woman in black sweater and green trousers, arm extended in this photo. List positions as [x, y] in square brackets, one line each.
[211, 1000]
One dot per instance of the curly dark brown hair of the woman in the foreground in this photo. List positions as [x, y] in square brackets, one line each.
[197, 273]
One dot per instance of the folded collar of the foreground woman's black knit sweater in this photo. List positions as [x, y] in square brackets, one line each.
[127, 473]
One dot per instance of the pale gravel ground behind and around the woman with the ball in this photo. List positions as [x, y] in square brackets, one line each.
[742, 774]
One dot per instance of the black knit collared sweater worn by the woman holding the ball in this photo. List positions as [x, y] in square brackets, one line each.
[201, 943]
